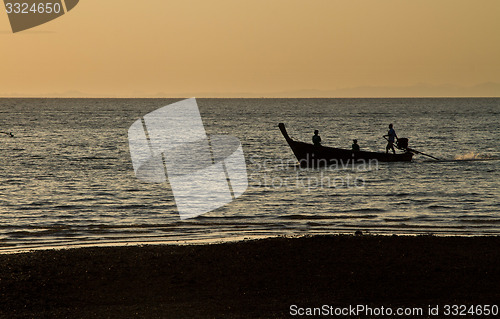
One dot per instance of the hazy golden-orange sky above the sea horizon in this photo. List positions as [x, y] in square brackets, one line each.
[252, 47]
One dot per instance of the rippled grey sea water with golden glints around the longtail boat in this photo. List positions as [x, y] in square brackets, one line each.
[67, 178]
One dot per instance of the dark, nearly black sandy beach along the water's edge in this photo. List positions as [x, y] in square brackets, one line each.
[251, 279]
